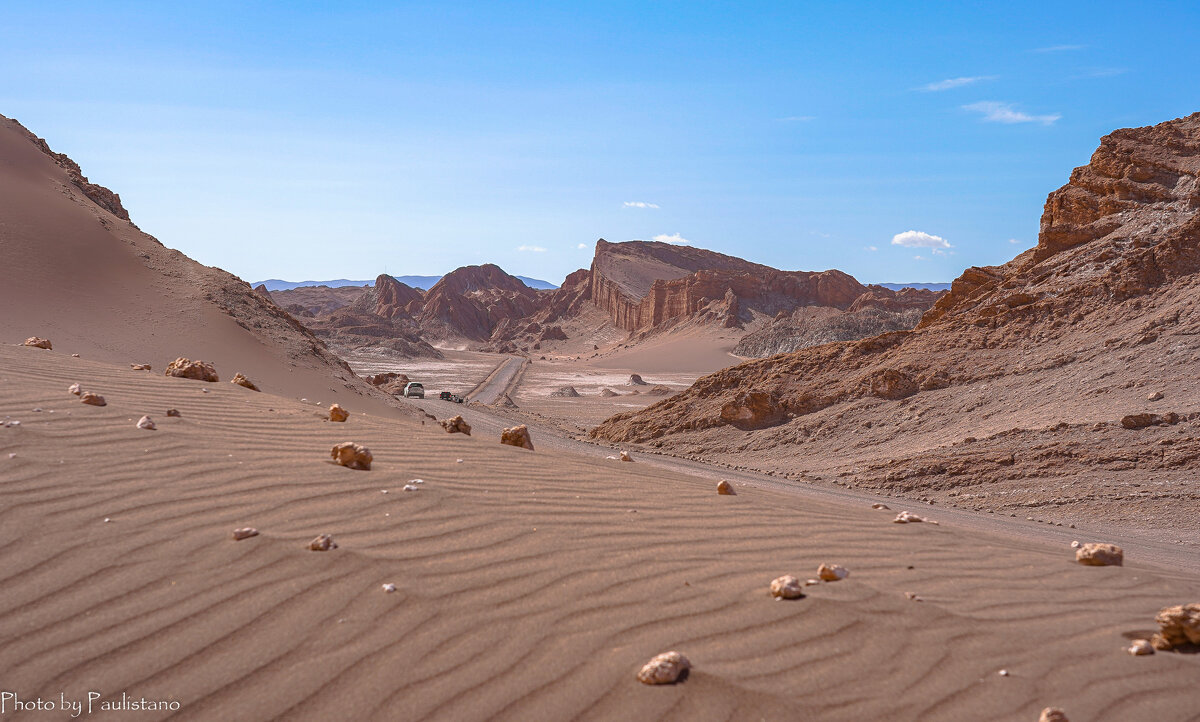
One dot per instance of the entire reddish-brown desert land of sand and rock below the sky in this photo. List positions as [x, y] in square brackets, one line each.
[1037, 406]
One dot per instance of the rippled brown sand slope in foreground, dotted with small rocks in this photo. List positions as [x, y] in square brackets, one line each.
[529, 586]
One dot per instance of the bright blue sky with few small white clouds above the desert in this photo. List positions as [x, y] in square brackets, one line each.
[296, 141]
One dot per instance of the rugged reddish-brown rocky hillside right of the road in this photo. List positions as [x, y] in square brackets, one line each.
[1100, 322]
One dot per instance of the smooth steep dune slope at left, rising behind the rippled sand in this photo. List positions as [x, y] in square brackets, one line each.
[76, 272]
